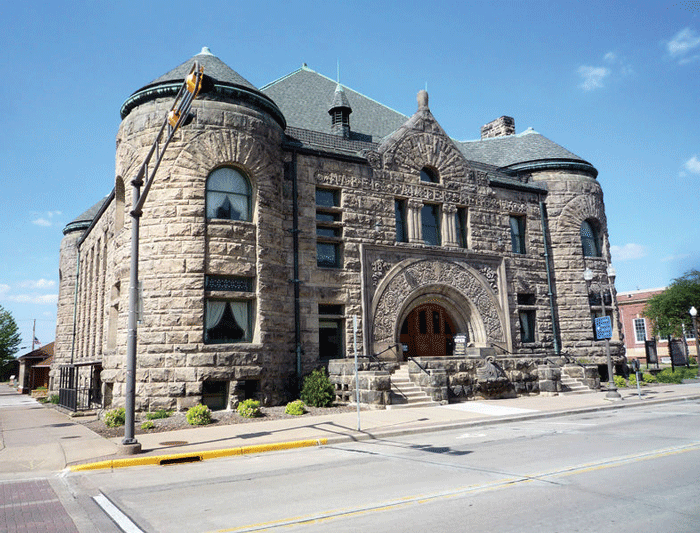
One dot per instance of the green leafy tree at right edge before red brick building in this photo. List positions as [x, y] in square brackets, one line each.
[668, 311]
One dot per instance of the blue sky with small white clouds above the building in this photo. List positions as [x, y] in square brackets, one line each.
[614, 82]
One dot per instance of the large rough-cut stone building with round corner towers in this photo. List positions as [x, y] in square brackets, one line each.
[281, 213]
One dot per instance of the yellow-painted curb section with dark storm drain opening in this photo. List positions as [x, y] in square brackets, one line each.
[196, 456]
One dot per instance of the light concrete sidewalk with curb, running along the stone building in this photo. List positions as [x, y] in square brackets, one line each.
[35, 438]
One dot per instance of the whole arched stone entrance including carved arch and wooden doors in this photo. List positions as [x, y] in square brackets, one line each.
[465, 300]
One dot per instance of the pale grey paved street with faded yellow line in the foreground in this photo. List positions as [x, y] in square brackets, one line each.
[620, 470]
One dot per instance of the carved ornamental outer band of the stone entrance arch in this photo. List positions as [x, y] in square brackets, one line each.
[392, 298]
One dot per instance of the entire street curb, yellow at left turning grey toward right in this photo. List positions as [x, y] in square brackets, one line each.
[186, 457]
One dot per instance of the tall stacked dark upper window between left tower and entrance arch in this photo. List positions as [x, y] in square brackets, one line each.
[329, 230]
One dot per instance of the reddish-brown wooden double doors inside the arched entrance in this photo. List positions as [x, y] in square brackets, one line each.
[428, 331]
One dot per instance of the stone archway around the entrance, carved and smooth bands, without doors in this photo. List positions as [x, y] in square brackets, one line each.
[469, 295]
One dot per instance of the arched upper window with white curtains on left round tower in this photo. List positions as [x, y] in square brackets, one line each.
[228, 195]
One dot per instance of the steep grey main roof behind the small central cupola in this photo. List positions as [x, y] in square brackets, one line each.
[304, 97]
